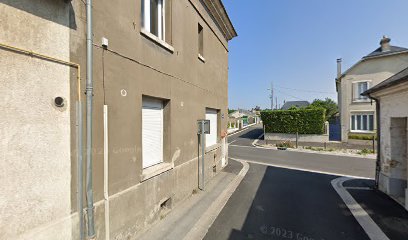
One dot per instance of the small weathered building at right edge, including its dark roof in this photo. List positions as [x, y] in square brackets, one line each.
[391, 97]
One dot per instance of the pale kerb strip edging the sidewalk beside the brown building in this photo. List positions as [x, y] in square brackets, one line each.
[201, 227]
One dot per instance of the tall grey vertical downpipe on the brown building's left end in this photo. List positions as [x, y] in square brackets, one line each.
[89, 99]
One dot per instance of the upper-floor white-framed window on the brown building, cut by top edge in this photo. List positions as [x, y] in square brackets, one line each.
[154, 17]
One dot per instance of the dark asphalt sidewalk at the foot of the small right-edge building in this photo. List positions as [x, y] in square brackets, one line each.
[391, 217]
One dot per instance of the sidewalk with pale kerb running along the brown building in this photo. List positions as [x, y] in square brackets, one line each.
[185, 219]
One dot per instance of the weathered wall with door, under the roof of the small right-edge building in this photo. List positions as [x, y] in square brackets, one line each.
[393, 111]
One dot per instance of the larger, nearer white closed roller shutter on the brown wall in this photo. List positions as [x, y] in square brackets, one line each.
[152, 132]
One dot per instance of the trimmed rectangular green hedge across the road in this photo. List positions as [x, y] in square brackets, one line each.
[303, 121]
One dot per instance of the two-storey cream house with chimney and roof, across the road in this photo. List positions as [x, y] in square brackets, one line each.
[357, 113]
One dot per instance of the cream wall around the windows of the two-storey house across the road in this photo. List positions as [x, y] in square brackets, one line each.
[375, 70]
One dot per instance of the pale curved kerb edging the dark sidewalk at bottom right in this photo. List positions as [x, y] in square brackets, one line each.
[367, 223]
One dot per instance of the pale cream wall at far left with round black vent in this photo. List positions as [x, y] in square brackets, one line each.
[35, 159]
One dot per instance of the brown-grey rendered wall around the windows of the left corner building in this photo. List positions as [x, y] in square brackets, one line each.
[141, 67]
